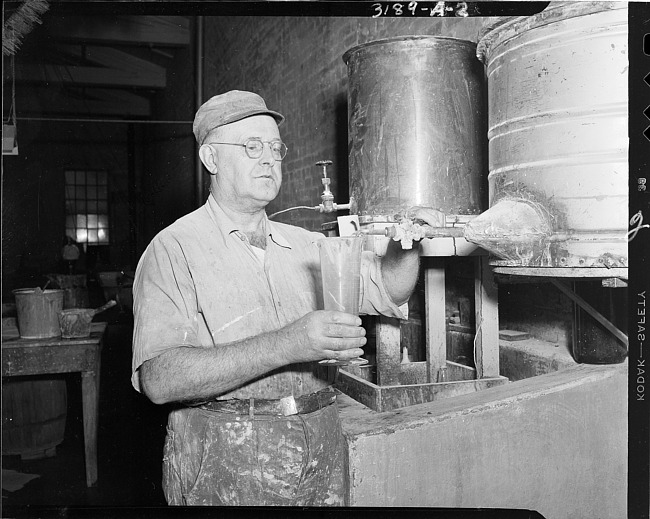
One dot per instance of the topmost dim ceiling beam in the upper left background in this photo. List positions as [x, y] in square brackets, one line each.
[170, 31]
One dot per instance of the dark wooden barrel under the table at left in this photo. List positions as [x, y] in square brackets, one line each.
[33, 416]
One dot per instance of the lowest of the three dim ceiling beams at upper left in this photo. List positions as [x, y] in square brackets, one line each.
[42, 101]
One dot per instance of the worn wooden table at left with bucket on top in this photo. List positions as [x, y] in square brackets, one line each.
[22, 357]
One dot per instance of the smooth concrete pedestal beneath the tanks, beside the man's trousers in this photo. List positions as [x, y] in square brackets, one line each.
[555, 443]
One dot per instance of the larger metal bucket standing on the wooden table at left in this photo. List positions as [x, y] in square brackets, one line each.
[38, 312]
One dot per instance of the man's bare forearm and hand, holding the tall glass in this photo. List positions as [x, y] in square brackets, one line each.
[191, 373]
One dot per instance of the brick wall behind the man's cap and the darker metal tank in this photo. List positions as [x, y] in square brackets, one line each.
[296, 64]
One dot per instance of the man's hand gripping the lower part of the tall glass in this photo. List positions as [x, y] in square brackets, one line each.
[323, 334]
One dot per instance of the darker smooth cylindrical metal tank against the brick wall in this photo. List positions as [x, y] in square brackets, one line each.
[417, 127]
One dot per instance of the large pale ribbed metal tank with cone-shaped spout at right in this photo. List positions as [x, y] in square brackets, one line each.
[558, 141]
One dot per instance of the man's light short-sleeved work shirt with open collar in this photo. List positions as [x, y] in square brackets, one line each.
[200, 284]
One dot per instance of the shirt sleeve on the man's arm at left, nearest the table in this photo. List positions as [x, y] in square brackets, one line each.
[165, 306]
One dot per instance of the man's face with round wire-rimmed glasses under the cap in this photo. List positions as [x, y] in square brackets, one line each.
[243, 182]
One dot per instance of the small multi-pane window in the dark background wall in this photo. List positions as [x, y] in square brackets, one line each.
[86, 205]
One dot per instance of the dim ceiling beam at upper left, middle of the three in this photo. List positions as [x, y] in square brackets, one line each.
[98, 76]
